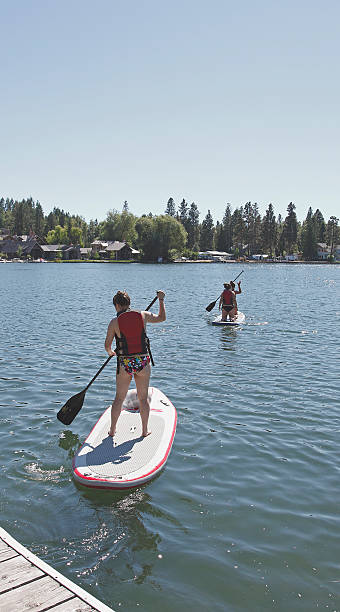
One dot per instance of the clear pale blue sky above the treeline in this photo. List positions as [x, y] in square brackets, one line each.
[140, 100]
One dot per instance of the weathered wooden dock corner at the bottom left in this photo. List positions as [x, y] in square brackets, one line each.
[27, 583]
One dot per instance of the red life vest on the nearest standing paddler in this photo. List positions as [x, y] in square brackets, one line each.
[133, 340]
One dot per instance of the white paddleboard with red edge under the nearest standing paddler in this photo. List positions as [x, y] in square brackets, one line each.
[127, 460]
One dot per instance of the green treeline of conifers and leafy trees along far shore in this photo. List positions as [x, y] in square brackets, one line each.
[179, 231]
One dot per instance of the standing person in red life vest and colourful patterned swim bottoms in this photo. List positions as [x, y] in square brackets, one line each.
[133, 354]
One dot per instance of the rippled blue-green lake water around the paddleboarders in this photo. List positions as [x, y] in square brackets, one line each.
[246, 515]
